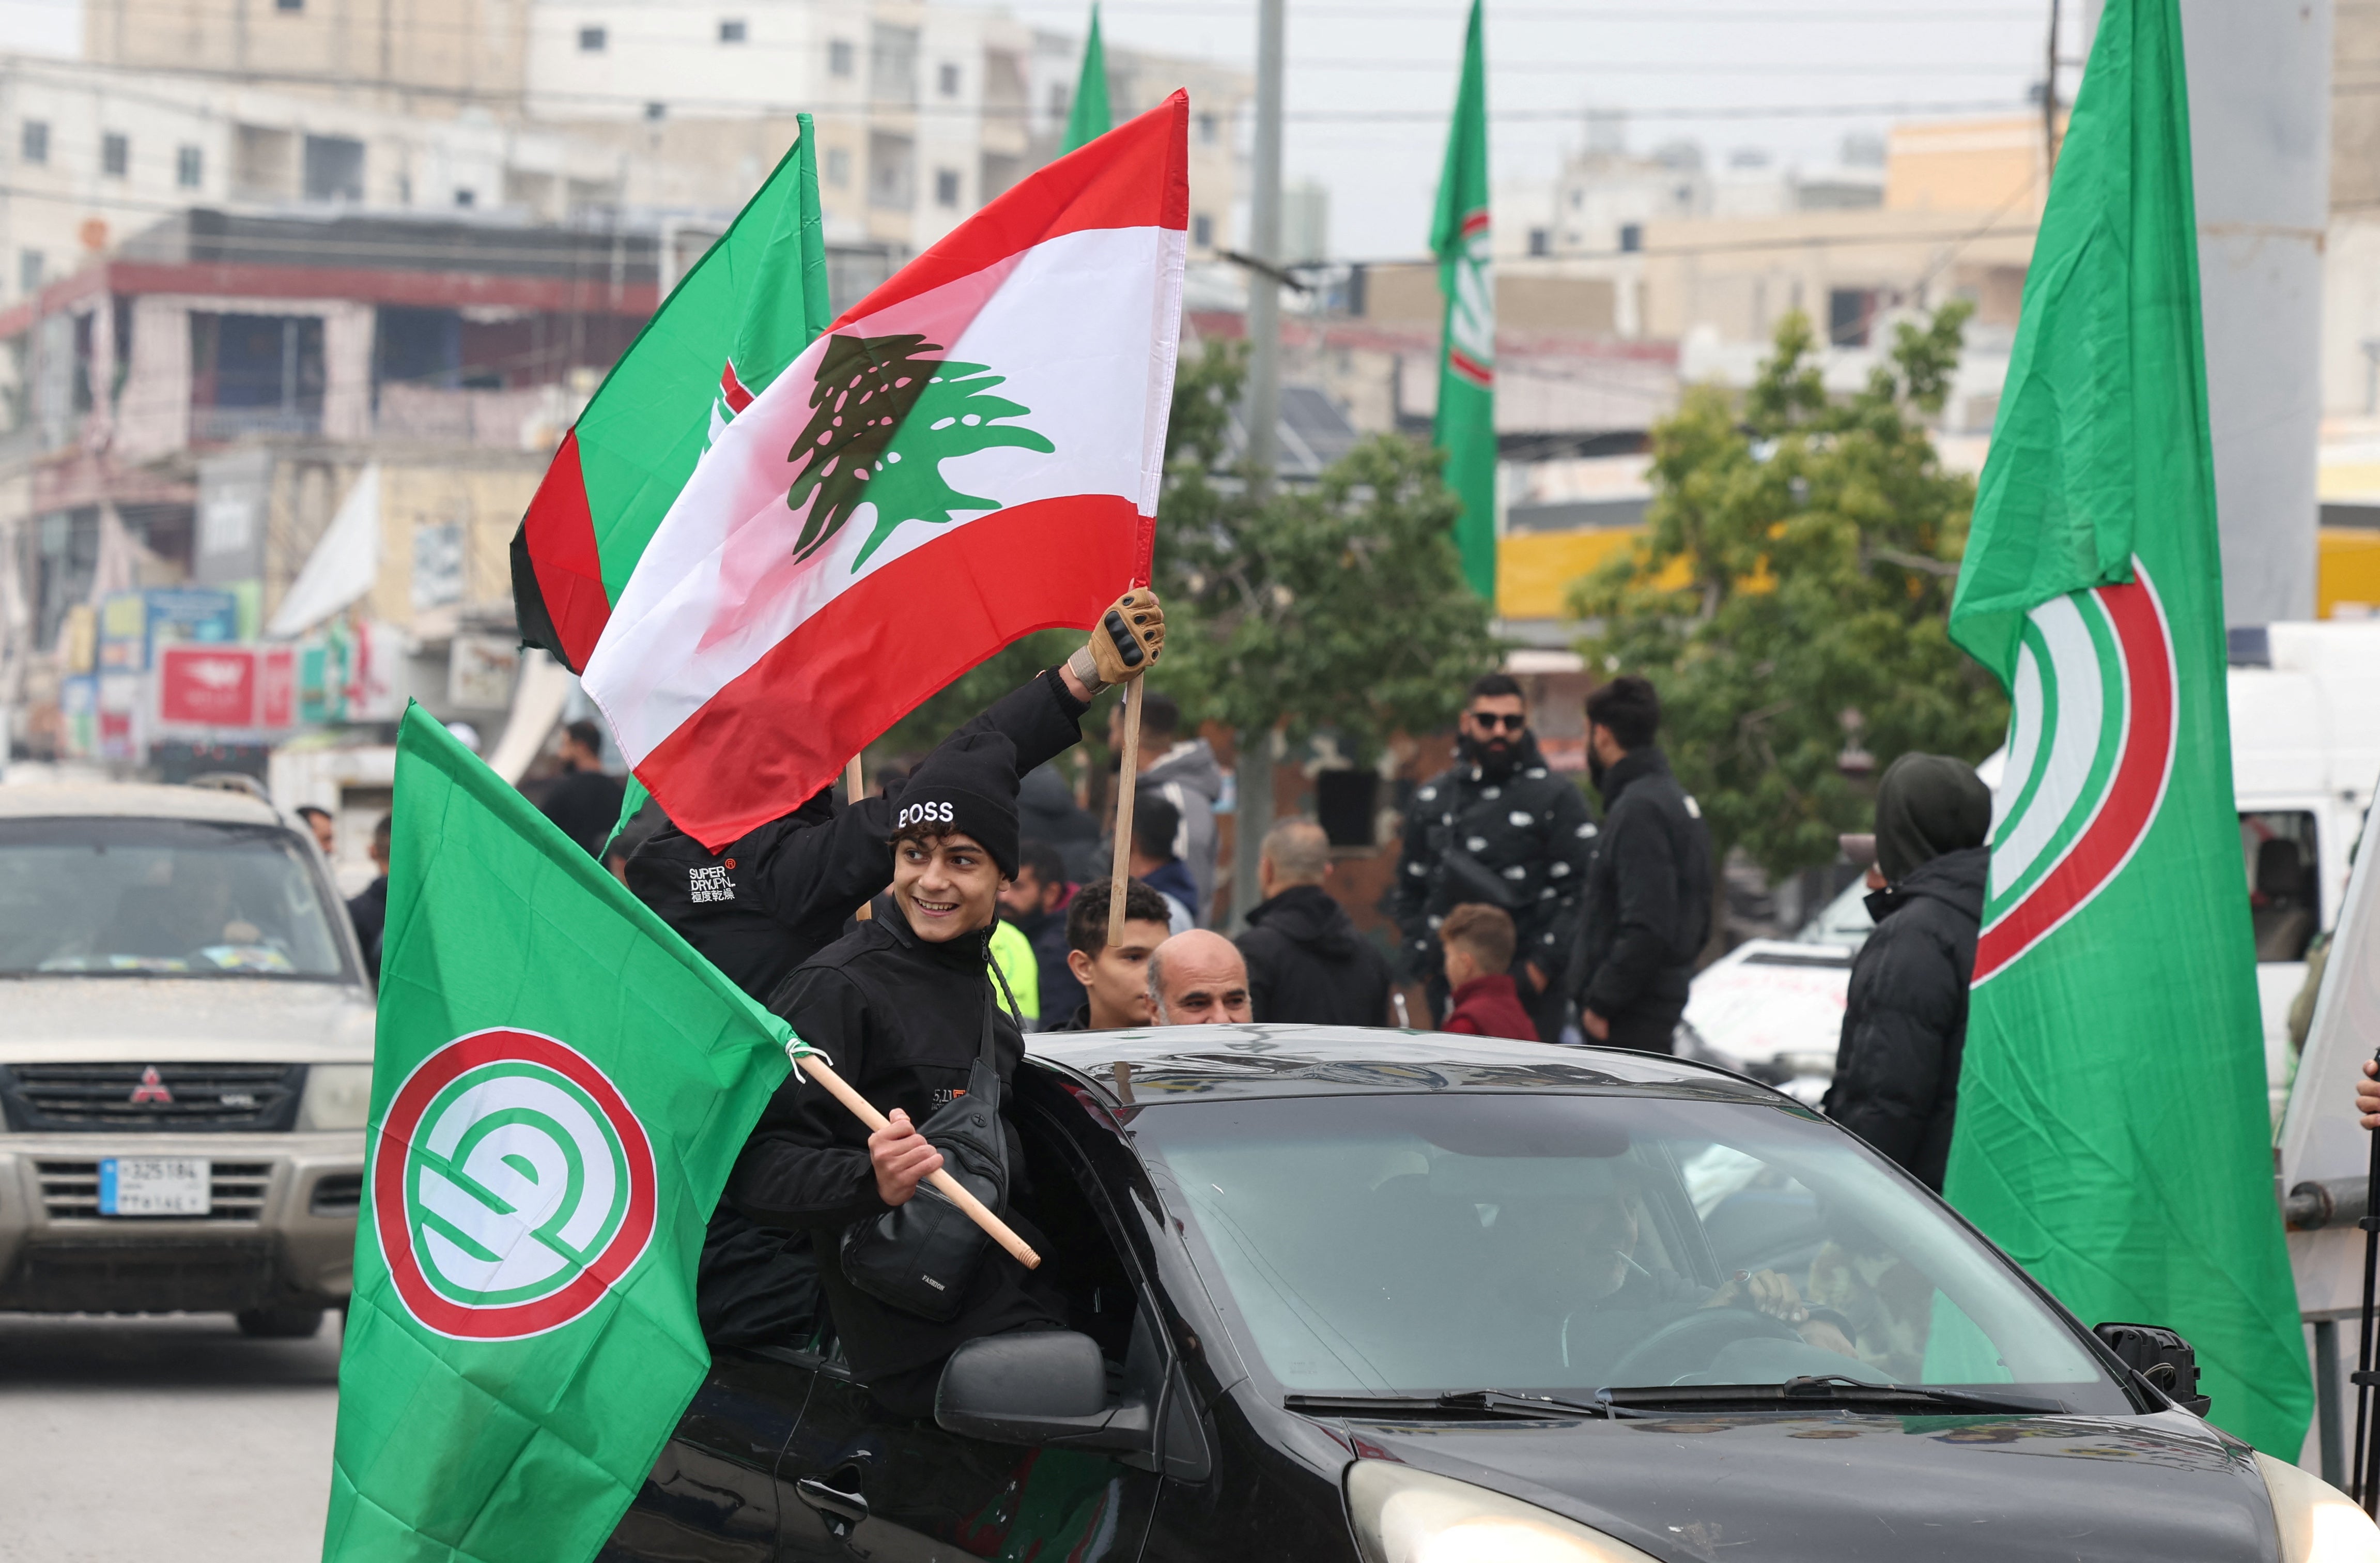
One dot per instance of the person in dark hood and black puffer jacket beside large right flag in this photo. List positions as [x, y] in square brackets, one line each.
[1905, 1017]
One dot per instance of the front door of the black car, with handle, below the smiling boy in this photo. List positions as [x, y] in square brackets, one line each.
[877, 1488]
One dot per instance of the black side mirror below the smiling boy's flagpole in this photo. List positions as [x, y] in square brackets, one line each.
[1036, 1388]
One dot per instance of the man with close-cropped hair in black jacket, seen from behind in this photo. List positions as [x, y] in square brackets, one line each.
[1305, 960]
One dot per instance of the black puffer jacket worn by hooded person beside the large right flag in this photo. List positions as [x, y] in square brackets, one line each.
[1905, 1019]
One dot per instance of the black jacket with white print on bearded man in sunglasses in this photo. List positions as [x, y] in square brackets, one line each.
[1527, 827]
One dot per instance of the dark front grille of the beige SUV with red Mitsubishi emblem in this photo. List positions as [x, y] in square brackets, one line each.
[170, 1098]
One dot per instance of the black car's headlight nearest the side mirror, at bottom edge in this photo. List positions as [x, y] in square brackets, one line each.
[1413, 1517]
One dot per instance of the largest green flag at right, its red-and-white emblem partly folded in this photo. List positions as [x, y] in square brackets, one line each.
[2112, 1131]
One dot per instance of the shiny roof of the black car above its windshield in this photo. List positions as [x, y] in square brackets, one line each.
[1215, 1062]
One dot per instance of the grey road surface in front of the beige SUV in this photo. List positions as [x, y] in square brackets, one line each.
[146, 1440]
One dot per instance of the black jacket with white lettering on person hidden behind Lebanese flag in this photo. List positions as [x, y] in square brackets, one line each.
[782, 893]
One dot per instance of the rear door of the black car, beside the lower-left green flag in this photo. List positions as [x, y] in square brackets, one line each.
[713, 1495]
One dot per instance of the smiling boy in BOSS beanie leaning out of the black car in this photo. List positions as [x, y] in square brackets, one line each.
[901, 1008]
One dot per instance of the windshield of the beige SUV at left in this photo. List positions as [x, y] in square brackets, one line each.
[161, 896]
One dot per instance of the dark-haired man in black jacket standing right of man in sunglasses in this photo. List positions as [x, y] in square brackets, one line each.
[1648, 900]
